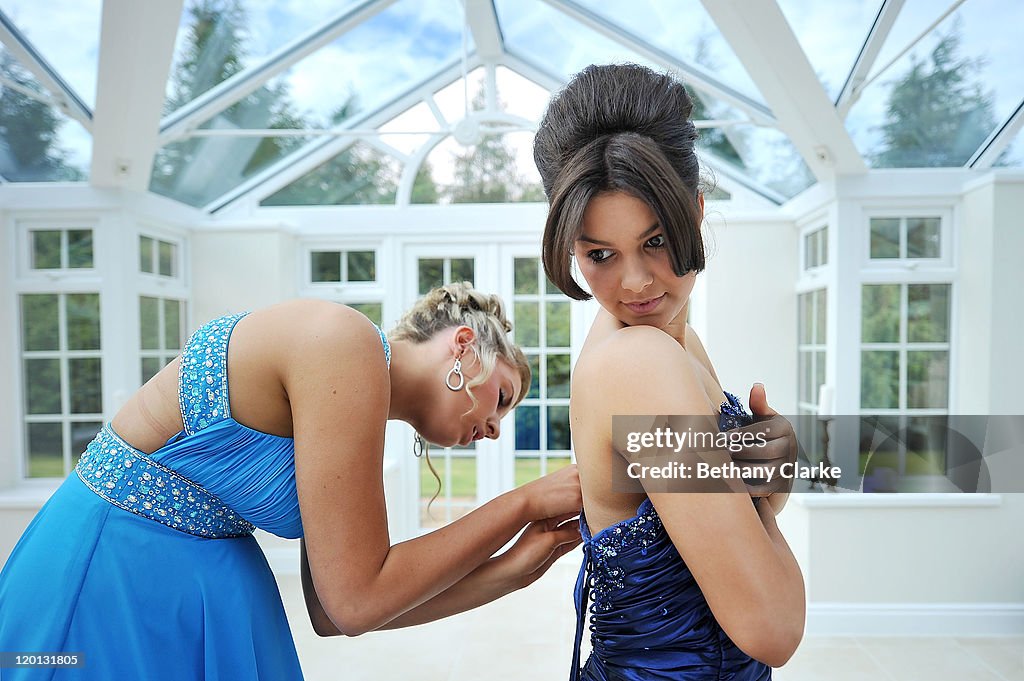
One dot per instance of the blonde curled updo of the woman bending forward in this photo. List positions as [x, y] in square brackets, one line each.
[460, 305]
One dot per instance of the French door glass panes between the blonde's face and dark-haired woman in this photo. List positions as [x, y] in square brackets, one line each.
[541, 315]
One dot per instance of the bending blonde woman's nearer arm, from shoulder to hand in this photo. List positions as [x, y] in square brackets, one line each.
[340, 398]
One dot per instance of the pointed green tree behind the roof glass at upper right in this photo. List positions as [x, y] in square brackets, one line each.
[937, 114]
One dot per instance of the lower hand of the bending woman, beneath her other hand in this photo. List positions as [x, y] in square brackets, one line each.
[538, 548]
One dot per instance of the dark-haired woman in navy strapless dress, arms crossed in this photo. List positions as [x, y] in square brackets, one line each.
[684, 586]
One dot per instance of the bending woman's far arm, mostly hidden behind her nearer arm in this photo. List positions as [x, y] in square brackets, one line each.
[537, 549]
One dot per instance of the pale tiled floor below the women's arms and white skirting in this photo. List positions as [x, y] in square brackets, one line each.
[529, 635]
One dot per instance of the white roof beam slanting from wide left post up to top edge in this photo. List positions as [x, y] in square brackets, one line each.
[235, 89]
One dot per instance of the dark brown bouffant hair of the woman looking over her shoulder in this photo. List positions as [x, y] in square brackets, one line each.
[619, 129]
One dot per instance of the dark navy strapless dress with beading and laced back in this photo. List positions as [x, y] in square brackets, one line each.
[649, 619]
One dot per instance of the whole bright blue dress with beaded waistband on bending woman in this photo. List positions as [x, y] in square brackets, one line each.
[146, 565]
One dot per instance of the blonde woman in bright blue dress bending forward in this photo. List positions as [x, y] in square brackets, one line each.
[143, 564]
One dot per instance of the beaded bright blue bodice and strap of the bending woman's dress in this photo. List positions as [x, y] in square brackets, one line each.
[216, 479]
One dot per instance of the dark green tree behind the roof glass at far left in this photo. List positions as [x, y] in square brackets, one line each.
[29, 130]
